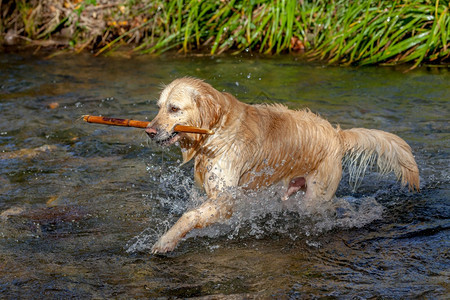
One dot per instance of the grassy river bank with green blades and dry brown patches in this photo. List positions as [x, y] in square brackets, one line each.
[339, 31]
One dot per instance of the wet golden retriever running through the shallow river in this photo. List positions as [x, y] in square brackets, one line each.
[255, 146]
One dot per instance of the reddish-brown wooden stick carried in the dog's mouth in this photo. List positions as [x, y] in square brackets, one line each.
[141, 124]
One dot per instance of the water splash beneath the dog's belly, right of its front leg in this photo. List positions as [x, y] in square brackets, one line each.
[261, 214]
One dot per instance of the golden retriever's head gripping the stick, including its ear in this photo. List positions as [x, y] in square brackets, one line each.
[185, 101]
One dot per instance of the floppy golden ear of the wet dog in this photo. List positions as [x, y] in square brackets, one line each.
[209, 107]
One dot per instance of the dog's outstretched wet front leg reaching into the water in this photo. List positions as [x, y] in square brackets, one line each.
[208, 213]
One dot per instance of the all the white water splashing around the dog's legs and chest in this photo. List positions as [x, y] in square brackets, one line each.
[257, 214]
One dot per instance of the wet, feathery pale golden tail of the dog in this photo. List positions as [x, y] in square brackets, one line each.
[365, 147]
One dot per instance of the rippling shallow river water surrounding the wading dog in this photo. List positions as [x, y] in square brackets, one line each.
[81, 204]
